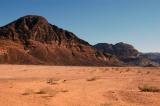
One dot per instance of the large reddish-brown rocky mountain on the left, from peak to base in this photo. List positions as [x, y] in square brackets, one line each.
[32, 40]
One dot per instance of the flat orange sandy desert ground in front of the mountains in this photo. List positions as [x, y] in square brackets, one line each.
[29, 85]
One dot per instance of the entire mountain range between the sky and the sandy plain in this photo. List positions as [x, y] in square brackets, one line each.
[32, 40]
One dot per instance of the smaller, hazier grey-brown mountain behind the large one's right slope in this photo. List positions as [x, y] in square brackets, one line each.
[126, 53]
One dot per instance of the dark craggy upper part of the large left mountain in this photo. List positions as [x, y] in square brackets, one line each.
[37, 28]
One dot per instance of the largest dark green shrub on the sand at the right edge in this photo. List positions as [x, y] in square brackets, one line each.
[147, 88]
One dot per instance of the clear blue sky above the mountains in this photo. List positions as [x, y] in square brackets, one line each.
[132, 21]
